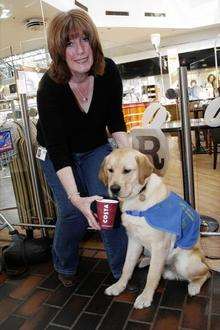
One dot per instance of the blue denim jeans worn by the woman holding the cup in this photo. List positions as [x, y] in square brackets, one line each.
[71, 225]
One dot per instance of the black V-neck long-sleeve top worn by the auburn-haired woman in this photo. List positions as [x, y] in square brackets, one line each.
[63, 128]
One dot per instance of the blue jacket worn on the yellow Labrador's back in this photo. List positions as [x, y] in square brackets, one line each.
[175, 216]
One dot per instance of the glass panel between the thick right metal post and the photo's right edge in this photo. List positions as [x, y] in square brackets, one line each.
[202, 89]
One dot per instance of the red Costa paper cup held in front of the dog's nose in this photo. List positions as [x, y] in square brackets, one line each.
[106, 211]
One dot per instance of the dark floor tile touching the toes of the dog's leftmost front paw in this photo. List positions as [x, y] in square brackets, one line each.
[100, 302]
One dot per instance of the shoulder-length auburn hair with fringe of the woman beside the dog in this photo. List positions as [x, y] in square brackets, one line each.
[60, 29]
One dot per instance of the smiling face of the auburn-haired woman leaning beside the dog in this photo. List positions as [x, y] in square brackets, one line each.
[79, 55]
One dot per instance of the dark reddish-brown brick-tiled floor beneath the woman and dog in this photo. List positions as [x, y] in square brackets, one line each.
[39, 301]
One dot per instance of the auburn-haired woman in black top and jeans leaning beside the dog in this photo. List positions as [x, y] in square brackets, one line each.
[79, 96]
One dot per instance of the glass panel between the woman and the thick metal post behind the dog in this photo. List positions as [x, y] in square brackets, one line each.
[140, 95]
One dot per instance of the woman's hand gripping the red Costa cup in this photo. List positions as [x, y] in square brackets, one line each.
[84, 205]
